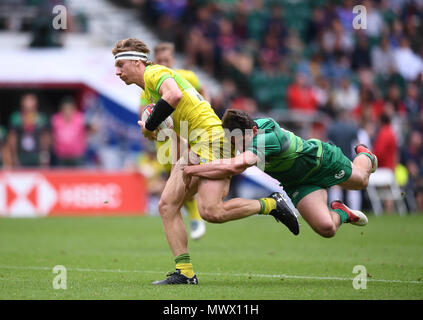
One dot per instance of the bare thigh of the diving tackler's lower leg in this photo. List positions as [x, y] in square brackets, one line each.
[314, 209]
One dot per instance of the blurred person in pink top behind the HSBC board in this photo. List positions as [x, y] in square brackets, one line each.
[69, 135]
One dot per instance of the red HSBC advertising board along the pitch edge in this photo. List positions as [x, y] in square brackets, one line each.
[71, 193]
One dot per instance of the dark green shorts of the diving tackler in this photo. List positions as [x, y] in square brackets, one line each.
[334, 169]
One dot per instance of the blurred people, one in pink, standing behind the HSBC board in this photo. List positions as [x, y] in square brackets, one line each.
[34, 140]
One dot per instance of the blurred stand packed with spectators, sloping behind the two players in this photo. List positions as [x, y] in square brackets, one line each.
[264, 46]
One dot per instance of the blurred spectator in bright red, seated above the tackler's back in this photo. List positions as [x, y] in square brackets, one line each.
[300, 95]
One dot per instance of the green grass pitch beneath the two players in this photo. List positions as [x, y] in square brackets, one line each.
[255, 258]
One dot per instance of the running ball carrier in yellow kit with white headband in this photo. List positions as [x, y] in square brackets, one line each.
[196, 122]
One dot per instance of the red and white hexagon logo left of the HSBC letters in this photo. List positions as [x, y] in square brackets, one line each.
[26, 195]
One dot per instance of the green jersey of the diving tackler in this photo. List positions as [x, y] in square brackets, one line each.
[287, 157]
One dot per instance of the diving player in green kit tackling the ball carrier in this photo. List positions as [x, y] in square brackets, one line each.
[305, 168]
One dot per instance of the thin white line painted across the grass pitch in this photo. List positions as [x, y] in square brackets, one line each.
[258, 275]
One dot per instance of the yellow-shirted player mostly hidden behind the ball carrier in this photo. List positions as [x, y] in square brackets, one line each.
[164, 55]
